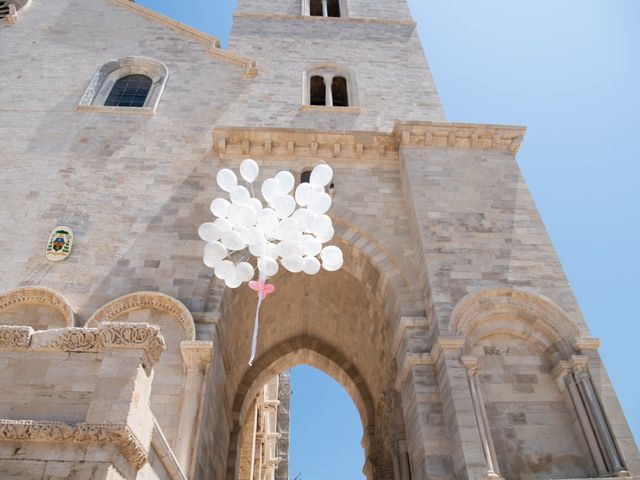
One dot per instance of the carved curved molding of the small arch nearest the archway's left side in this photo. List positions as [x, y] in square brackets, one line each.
[146, 300]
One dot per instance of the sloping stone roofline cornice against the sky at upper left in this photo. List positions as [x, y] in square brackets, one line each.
[250, 69]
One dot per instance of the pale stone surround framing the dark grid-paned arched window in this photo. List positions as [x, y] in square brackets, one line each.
[108, 74]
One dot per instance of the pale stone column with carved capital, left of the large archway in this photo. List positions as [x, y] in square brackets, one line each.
[196, 356]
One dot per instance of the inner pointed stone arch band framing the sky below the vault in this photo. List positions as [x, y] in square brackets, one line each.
[318, 354]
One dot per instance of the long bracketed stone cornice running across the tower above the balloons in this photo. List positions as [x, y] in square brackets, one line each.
[239, 141]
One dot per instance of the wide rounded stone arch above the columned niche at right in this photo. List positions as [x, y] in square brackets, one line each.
[517, 313]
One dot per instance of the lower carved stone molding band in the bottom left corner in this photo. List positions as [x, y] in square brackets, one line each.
[36, 431]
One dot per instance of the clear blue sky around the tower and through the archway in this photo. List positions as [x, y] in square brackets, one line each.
[570, 71]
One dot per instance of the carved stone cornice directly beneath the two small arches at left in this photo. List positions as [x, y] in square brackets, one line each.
[74, 340]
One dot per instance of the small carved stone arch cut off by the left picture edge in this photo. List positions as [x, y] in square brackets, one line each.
[28, 306]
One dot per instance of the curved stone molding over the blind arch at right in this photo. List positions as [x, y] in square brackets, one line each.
[539, 312]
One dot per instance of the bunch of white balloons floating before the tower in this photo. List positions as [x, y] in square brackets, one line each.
[291, 230]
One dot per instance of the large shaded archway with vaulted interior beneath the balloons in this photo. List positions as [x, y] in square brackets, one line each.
[337, 322]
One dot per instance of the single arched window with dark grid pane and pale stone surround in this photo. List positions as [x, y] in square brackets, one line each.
[132, 84]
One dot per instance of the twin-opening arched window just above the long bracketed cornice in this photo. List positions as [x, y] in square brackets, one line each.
[331, 86]
